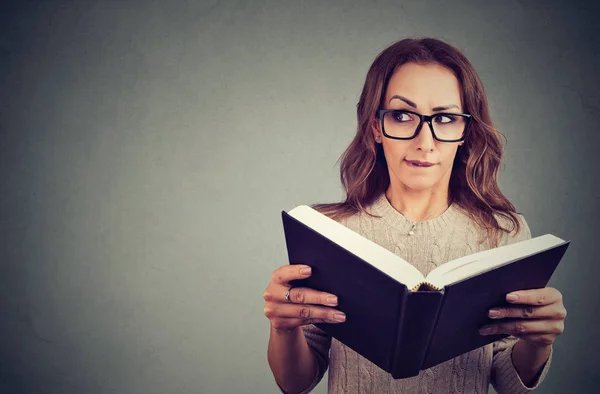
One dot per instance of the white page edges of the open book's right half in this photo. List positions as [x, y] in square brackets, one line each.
[477, 263]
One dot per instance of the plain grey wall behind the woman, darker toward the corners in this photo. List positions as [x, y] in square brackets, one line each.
[147, 150]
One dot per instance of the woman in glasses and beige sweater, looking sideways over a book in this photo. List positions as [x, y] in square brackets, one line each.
[420, 178]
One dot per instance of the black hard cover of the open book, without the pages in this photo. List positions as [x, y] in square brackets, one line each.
[399, 330]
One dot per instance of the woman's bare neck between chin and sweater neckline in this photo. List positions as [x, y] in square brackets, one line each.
[417, 205]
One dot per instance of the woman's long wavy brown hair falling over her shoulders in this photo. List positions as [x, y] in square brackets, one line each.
[473, 182]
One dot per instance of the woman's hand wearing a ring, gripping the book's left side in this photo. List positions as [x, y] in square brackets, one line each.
[305, 305]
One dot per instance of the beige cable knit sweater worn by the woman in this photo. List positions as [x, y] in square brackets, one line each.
[448, 236]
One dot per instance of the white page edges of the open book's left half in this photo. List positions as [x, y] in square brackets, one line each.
[374, 254]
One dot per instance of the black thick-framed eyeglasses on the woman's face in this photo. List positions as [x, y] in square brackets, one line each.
[401, 124]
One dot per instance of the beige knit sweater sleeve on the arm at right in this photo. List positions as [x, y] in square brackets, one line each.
[504, 377]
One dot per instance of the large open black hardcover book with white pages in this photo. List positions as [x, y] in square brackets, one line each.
[398, 319]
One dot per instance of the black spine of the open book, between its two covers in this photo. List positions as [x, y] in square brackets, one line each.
[417, 319]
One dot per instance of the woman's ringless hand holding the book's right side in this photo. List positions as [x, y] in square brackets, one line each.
[540, 316]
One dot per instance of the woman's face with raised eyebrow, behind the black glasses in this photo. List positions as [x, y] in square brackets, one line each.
[420, 88]
